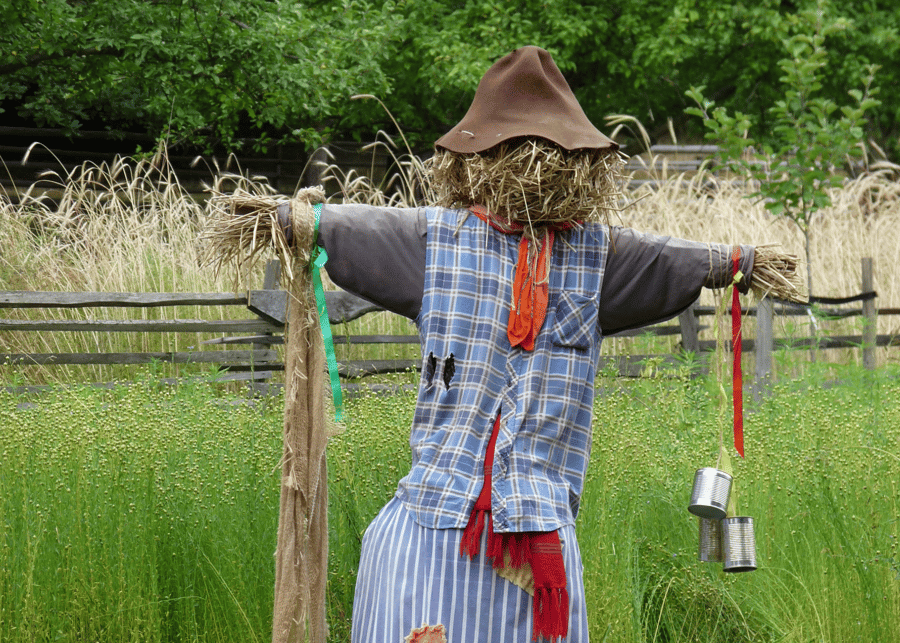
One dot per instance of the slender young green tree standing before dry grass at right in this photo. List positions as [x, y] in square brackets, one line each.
[811, 138]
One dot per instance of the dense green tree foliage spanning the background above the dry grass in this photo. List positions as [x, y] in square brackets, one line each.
[264, 68]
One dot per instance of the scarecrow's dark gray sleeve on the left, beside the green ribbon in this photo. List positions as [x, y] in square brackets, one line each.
[376, 253]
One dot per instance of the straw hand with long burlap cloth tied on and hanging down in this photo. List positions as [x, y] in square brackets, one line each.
[241, 226]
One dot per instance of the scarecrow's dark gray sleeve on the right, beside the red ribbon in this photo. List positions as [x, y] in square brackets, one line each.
[650, 279]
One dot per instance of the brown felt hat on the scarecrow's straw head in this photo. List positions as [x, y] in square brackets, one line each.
[524, 94]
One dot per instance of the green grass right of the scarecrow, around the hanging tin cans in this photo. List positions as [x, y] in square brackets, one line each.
[819, 480]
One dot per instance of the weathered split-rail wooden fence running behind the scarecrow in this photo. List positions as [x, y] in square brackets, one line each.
[246, 348]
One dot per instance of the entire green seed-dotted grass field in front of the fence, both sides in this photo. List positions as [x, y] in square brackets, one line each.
[148, 513]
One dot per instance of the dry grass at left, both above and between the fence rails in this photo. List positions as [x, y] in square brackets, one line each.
[126, 226]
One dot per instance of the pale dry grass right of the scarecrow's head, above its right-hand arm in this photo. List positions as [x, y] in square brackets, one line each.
[863, 221]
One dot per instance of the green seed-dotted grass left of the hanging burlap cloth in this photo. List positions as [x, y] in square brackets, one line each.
[120, 516]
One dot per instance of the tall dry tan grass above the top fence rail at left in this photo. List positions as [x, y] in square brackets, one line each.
[124, 226]
